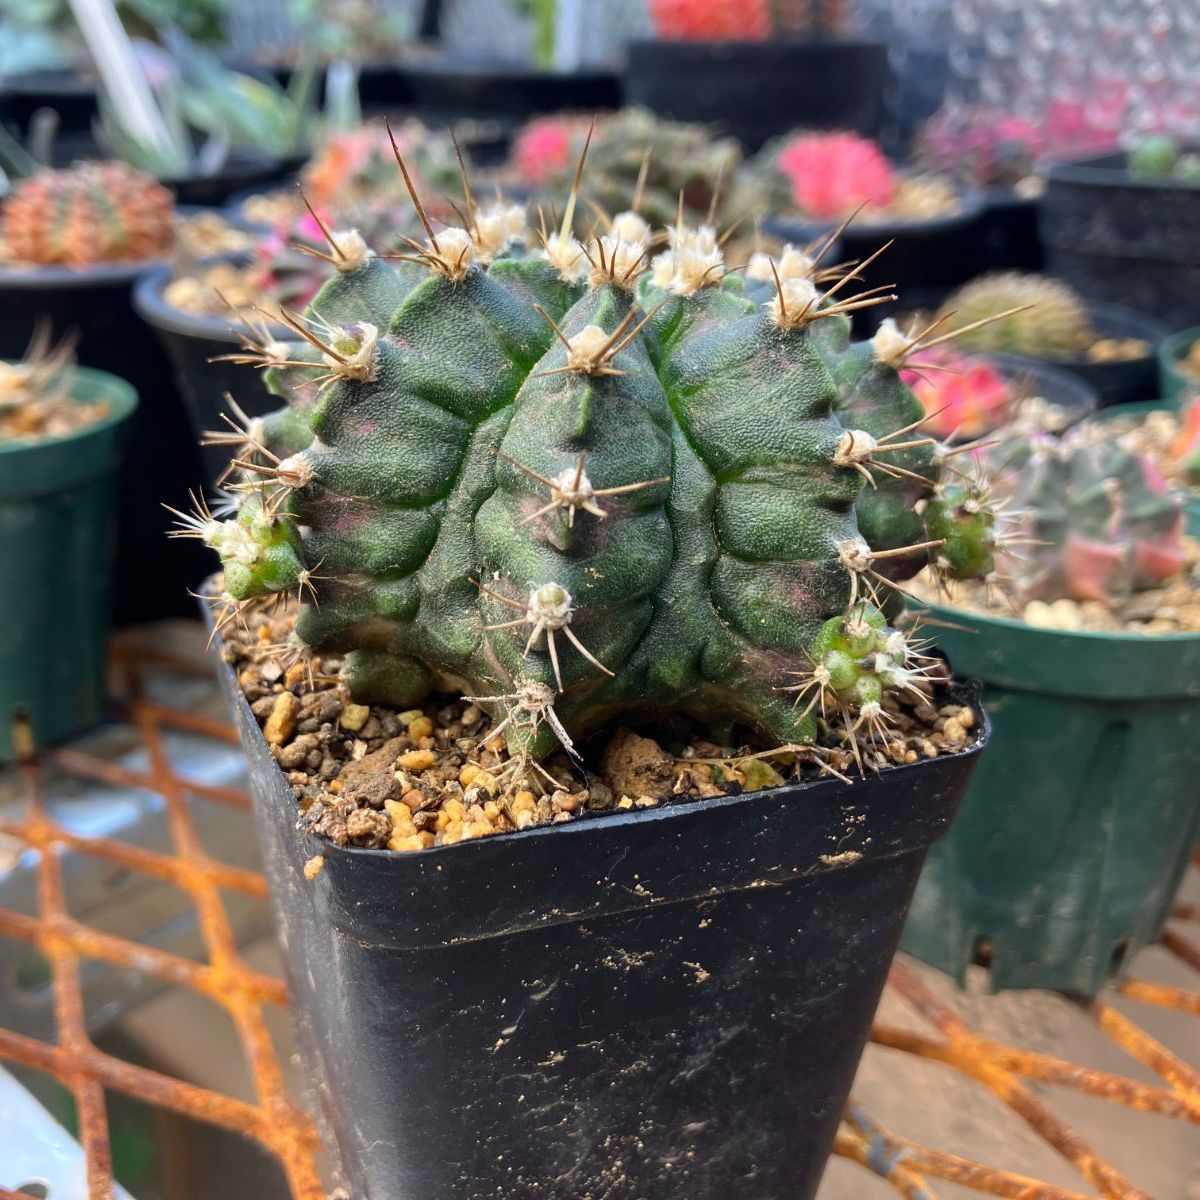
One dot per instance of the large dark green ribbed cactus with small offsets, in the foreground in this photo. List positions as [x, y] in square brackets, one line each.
[585, 479]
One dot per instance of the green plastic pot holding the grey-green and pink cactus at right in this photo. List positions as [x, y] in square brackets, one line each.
[1083, 818]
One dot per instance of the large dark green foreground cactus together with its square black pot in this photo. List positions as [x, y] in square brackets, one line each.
[584, 488]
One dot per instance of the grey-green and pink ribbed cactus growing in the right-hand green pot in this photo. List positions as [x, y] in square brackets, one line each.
[1097, 523]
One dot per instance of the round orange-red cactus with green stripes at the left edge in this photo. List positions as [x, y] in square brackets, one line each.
[92, 213]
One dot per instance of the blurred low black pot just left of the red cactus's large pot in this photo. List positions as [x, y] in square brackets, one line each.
[446, 88]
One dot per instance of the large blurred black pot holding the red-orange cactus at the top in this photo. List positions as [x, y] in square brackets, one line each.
[760, 91]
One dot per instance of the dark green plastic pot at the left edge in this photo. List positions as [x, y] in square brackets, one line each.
[58, 539]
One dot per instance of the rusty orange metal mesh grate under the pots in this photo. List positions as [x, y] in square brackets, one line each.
[279, 1126]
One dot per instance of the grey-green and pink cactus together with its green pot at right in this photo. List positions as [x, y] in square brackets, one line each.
[1073, 841]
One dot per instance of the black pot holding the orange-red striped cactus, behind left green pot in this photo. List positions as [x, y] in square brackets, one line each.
[153, 572]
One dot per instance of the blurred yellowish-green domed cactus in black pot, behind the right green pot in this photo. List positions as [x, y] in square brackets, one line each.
[1047, 320]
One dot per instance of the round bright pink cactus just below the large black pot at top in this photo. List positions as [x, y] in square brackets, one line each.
[832, 175]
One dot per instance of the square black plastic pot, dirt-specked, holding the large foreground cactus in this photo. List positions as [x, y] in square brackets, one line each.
[657, 1004]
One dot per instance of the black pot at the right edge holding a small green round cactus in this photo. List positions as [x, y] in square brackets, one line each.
[1130, 242]
